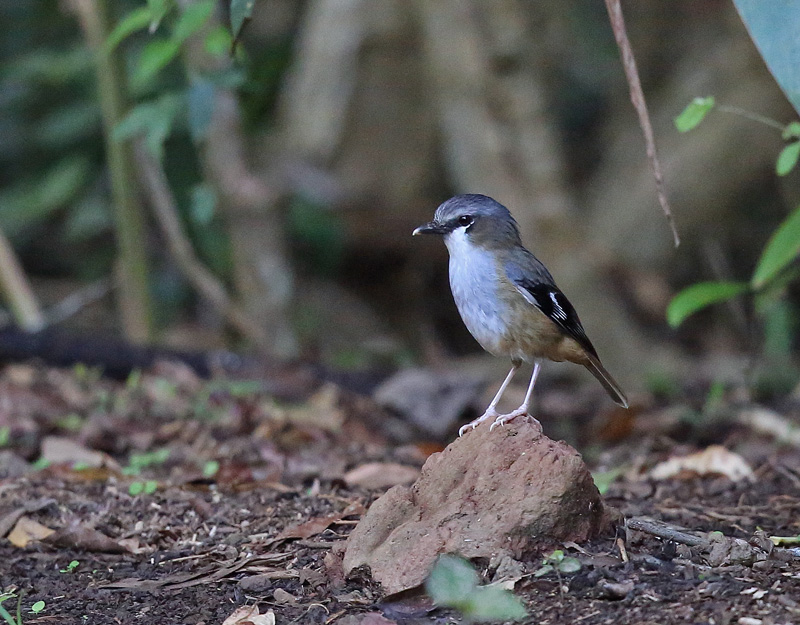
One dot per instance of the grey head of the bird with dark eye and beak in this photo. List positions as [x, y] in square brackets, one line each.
[483, 221]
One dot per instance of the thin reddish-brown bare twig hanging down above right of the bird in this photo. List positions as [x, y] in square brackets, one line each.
[637, 98]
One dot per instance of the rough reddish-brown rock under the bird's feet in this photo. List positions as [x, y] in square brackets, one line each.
[511, 492]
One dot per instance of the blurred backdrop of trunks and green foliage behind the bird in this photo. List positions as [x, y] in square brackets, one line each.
[298, 161]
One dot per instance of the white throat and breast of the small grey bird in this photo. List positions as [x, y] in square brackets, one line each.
[474, 282]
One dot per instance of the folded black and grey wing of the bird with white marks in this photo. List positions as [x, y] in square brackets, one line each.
[536, 285]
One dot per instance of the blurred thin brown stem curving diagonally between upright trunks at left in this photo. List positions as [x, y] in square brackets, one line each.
[155, 184]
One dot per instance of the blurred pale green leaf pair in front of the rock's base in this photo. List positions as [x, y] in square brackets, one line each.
[453, 583]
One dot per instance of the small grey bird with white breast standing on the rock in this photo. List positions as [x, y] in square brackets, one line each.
[508, 299]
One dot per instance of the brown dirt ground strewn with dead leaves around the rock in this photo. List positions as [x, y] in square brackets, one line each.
[168, 499]
